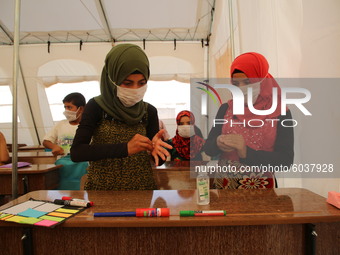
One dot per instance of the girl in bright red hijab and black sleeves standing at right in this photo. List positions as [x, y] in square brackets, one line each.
[270, 144]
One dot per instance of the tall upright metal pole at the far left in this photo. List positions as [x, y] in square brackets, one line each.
[15, 100]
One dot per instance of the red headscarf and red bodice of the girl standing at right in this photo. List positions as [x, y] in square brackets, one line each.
[255, 67]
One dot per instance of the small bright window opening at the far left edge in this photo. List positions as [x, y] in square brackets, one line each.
[6, 104]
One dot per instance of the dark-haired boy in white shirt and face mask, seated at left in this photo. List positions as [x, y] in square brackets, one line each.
[60, 139]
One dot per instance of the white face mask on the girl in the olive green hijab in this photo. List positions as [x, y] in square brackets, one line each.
[130, 97]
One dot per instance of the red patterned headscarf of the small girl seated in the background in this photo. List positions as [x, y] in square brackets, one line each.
[182, 145]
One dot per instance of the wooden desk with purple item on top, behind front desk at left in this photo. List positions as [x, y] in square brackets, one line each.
[39, 177]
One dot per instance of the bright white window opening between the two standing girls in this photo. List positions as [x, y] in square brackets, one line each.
[169, 97]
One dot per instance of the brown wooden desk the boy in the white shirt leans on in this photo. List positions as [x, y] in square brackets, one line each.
[36, 157]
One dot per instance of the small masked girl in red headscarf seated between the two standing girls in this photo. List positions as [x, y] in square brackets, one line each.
[186, 143]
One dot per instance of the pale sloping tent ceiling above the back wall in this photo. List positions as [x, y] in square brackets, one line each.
[106, 20]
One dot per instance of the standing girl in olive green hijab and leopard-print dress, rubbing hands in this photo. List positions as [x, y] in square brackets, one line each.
[118, 130]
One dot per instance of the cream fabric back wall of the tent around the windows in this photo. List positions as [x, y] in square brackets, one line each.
[66, 63]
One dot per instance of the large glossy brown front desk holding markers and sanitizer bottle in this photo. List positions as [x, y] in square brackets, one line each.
[258, 222]
